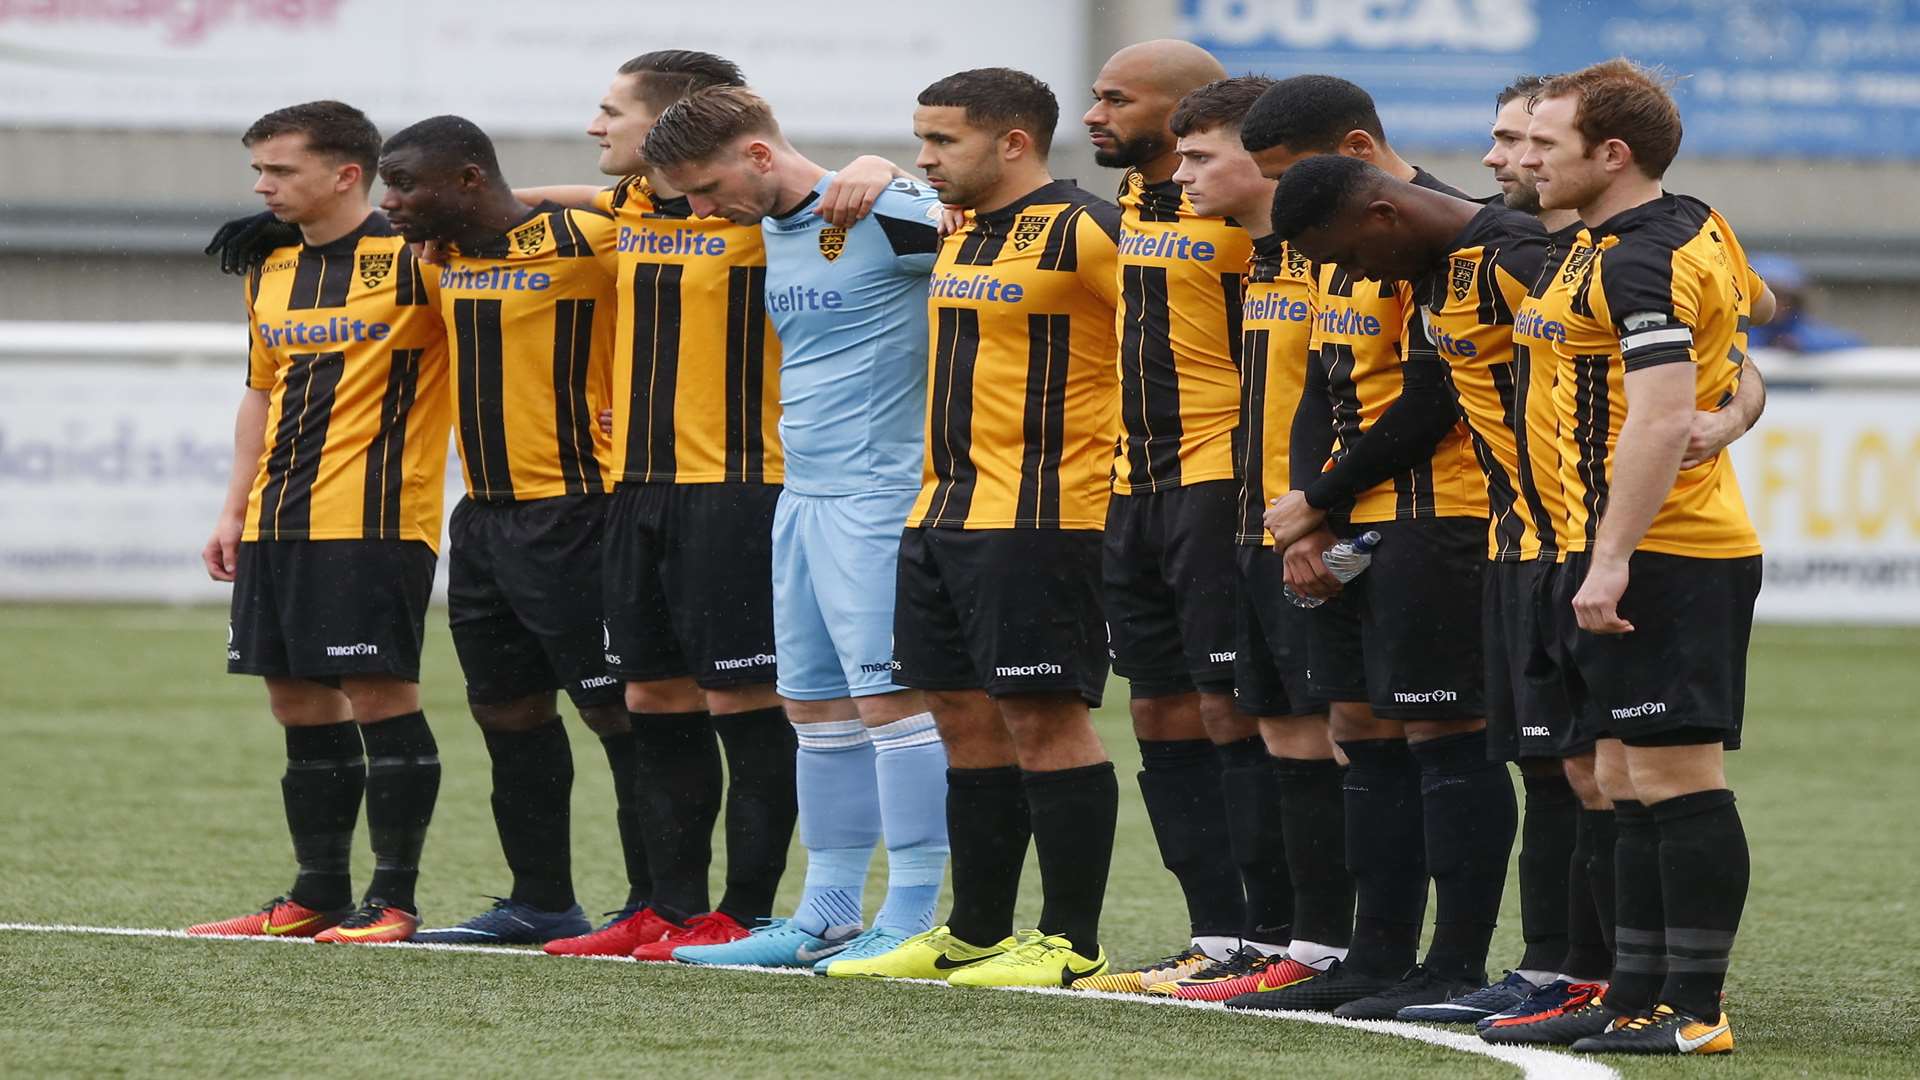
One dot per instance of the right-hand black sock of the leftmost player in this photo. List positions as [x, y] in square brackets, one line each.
[402, 787]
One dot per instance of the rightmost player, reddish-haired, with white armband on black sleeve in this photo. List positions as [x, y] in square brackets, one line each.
[1654, 604]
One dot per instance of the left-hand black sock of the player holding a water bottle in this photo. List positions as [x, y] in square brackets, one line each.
[1387, 854]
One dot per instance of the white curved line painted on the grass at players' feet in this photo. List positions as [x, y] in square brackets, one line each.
[1533, 1064]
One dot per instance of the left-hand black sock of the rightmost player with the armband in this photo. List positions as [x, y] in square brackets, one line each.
[1639, 912]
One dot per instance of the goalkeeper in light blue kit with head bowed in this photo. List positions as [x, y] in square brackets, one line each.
[850, 308]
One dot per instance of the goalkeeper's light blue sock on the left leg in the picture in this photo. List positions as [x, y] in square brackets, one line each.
[840, 822]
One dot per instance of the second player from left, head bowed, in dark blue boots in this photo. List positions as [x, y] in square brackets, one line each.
[529, 303]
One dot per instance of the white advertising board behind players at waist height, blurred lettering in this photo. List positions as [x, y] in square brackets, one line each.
[112, 472]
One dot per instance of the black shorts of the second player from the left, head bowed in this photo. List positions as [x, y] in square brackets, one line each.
[525, 599]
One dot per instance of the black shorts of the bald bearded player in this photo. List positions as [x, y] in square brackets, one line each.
[1168, 577]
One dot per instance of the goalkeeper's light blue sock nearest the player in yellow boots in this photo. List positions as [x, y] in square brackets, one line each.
[911, 768]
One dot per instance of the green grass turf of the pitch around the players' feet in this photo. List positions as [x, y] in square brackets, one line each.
[141, 791]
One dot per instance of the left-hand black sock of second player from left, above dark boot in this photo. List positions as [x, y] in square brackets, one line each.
[533, 812]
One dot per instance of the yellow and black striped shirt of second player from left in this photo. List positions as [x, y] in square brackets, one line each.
[531, 318]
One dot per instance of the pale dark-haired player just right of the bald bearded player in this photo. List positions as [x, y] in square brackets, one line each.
[1285, 806]
